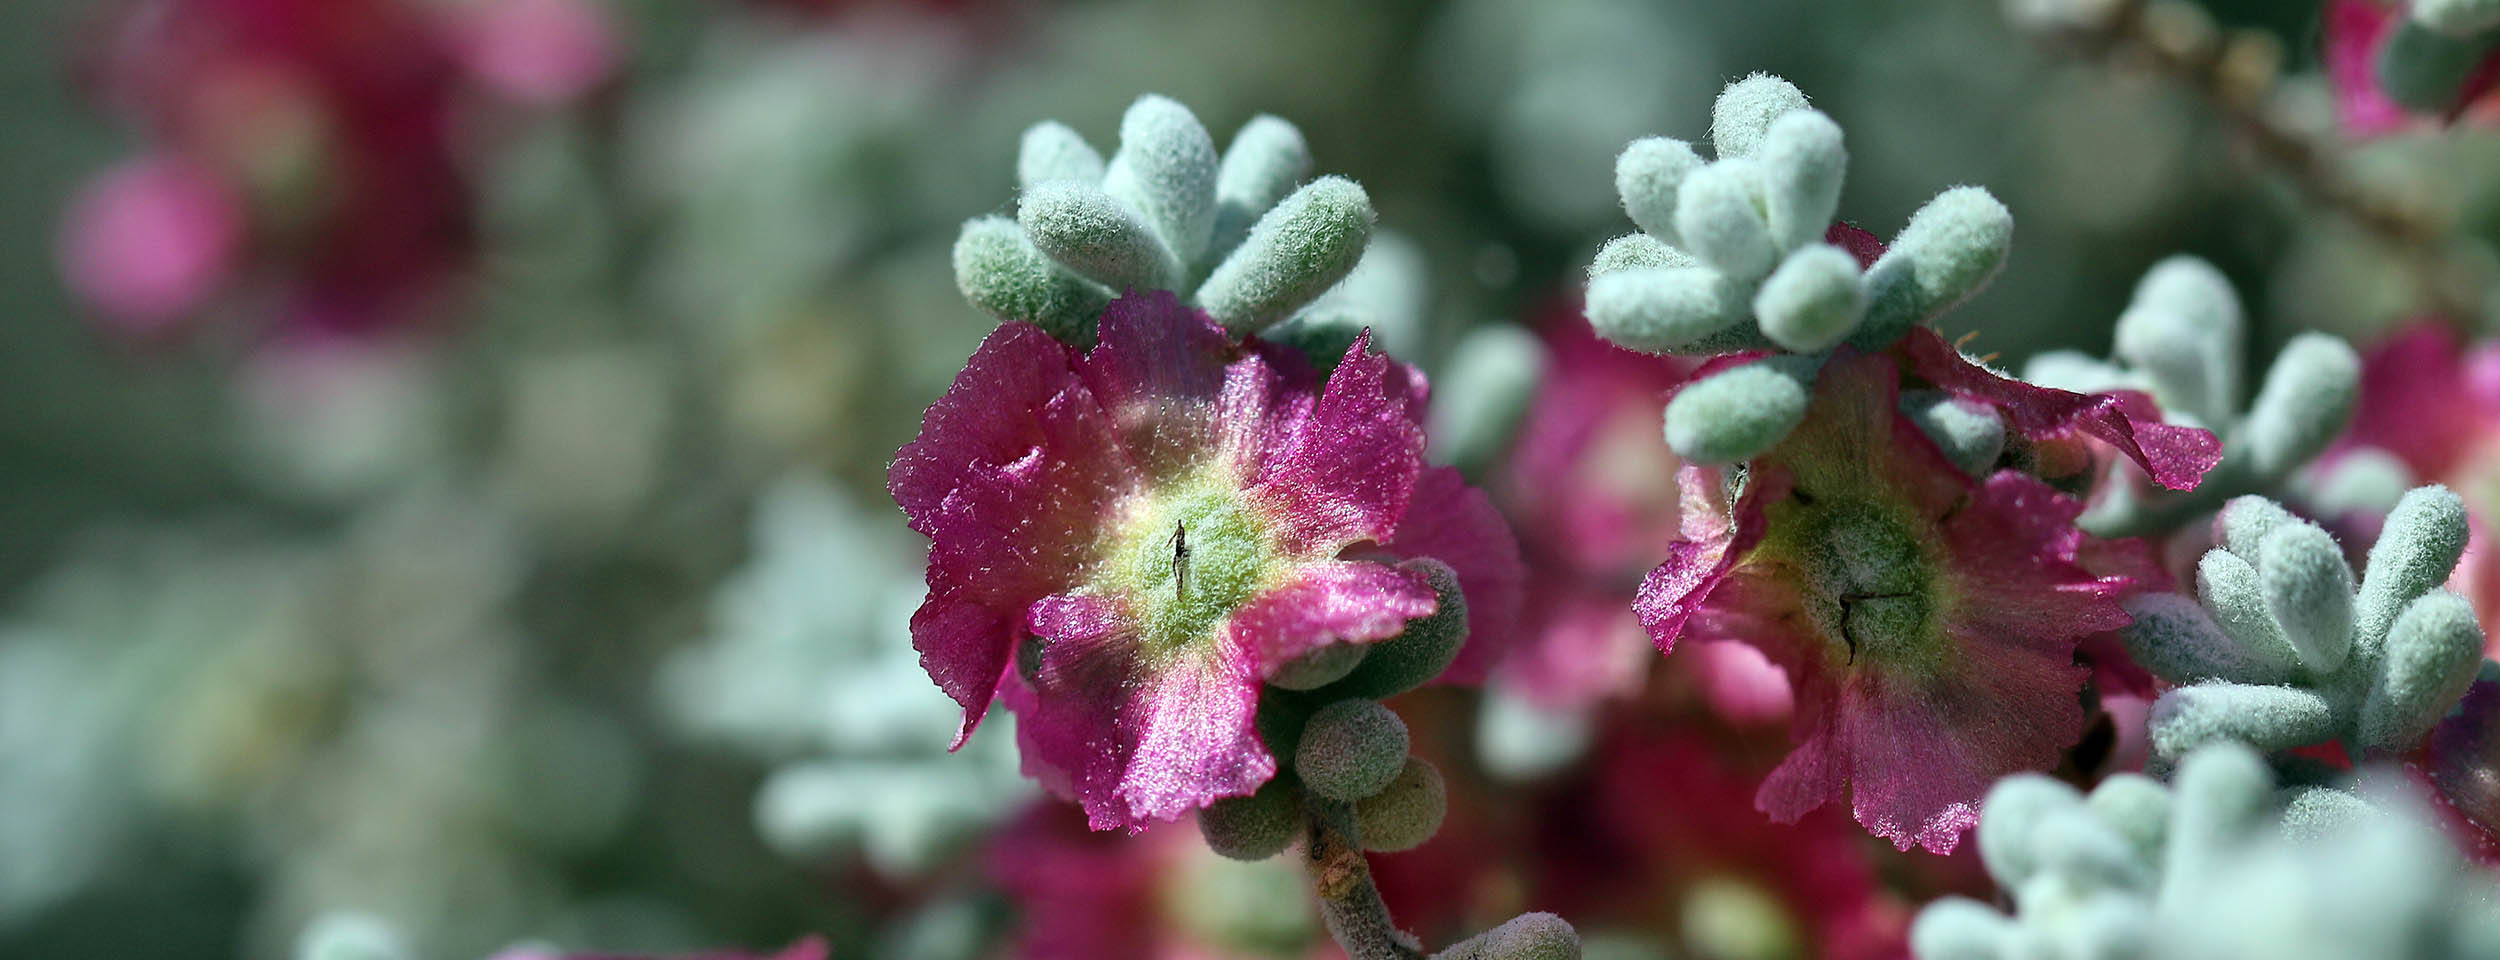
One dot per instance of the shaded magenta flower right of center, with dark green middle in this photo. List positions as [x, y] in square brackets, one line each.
[1929, 621]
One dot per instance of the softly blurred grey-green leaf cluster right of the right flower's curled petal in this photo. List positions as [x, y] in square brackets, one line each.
[2181, 341]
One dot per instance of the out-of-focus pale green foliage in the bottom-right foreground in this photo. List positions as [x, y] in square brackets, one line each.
[2214, 866]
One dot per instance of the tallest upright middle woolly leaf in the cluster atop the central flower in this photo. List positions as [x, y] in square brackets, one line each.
[1166, 171]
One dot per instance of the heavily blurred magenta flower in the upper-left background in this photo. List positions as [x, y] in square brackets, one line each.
[336, 131]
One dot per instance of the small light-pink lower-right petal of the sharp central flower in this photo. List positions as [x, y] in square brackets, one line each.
[1331, 601]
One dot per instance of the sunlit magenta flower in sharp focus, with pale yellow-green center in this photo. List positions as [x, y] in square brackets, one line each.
[1151, 529]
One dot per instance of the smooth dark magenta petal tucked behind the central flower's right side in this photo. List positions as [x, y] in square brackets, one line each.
[1456, 524]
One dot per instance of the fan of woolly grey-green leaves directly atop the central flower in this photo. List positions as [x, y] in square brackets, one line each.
[1241, 234]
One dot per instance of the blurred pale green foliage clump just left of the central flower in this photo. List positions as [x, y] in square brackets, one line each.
[811, 669]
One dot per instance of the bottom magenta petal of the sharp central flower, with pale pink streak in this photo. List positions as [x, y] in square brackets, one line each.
[1134, 736]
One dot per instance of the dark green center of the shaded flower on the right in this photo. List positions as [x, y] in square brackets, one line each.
[1869, 576]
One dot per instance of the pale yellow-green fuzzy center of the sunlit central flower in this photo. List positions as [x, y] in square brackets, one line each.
[1189, 556]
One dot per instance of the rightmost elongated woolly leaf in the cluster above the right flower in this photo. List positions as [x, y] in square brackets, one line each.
[1949, 251]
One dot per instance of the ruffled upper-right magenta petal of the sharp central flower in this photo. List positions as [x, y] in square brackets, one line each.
[1349, 471]
